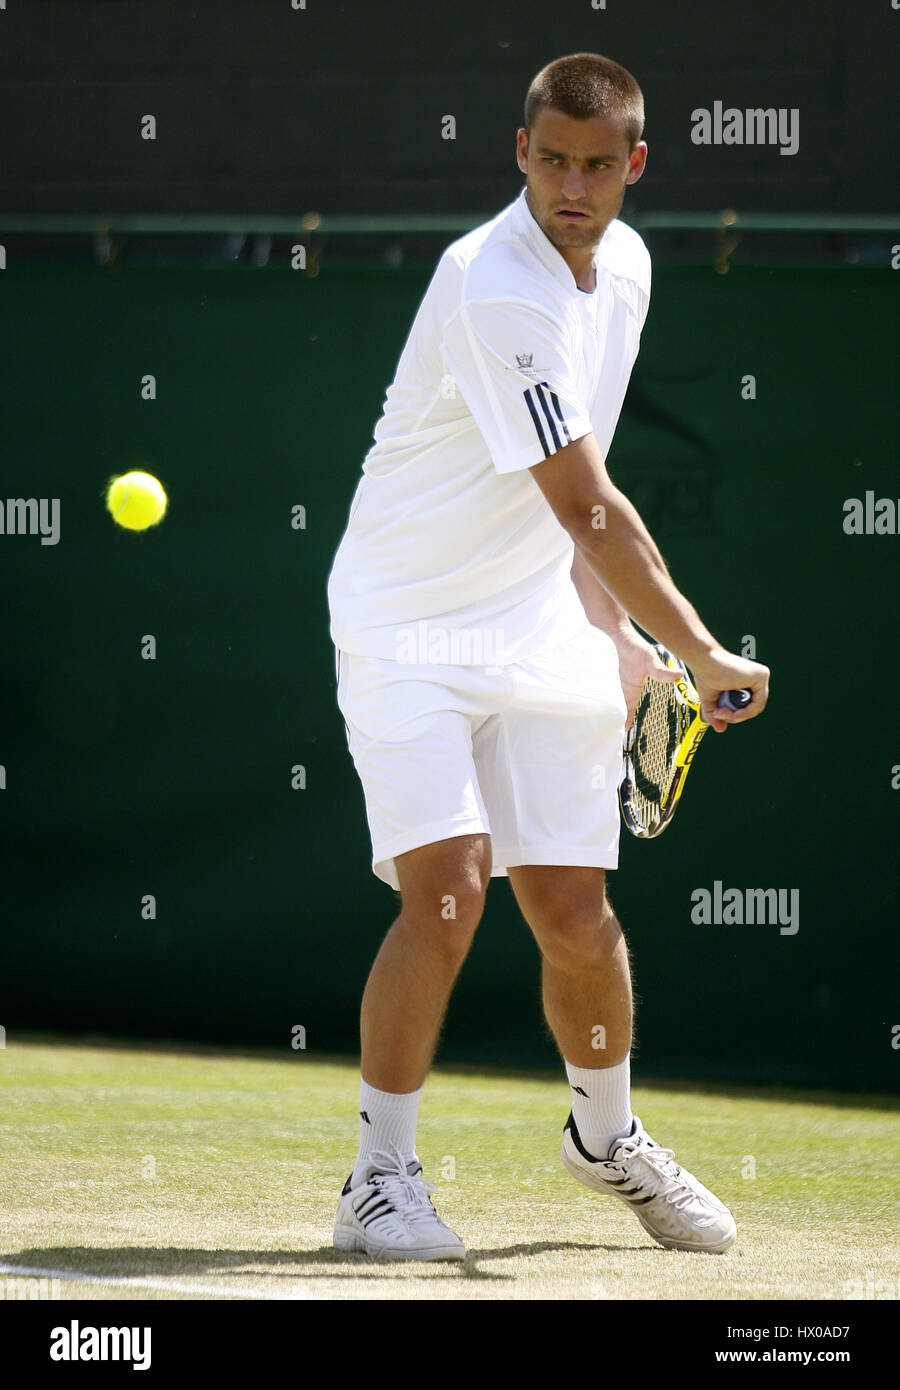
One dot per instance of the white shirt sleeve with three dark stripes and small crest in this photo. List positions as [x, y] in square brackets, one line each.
[513, 368]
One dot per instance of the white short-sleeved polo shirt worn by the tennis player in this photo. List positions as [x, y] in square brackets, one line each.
[451, 553]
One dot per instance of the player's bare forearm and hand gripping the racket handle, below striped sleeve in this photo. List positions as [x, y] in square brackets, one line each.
[627, 562]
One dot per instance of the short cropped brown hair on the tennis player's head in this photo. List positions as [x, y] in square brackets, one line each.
[586, 84]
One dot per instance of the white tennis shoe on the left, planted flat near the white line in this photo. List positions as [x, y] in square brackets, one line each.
[390, 1214]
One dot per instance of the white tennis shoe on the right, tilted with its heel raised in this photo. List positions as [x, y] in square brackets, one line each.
[670, 1203]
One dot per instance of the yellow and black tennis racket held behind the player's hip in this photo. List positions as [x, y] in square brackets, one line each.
[661, 746]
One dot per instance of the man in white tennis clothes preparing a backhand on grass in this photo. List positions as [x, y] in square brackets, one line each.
[482, 604]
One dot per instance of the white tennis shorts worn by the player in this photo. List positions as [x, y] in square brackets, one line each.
[529, 754]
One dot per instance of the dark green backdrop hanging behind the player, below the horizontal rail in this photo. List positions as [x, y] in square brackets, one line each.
[175, 776]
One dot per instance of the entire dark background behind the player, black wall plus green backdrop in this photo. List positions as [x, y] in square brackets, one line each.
[173, 778]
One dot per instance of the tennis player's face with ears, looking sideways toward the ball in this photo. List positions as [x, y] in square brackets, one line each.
[577, 174]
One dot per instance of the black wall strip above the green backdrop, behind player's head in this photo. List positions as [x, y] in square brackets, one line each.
[337, 108]
